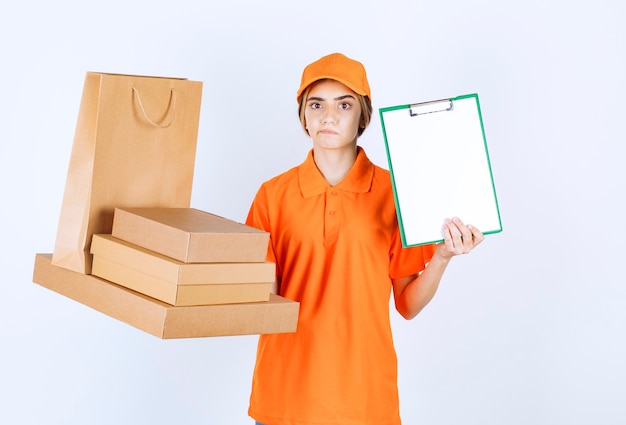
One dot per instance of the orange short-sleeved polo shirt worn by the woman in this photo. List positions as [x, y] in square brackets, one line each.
[336, 249]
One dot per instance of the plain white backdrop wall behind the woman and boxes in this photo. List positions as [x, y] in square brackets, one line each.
[530, 328]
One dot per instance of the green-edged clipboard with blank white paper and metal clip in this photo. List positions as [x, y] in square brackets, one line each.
[440, 167]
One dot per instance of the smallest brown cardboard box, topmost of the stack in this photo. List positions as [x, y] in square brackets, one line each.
[190, 235]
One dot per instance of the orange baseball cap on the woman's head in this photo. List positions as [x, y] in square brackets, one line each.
[338, 67]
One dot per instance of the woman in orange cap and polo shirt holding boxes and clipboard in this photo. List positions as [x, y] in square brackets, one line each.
[335, 240]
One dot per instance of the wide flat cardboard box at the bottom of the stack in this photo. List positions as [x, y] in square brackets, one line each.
[278, 315]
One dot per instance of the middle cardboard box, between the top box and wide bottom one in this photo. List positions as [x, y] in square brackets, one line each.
[179, 283]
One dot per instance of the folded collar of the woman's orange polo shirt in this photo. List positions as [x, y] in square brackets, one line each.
[358, 179]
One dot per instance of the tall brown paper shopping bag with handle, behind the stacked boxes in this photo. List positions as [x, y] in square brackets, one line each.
[134, 146]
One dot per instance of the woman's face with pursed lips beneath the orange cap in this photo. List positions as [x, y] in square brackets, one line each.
[332, 115]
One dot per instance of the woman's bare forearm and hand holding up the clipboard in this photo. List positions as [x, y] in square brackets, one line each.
[412, 293]
